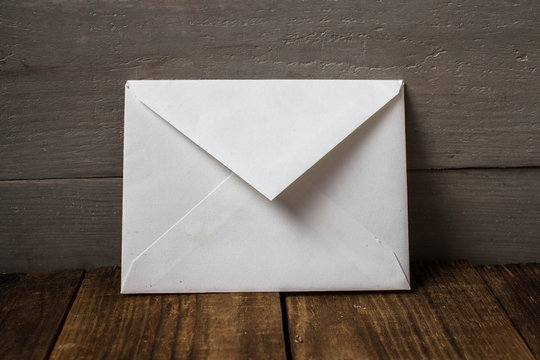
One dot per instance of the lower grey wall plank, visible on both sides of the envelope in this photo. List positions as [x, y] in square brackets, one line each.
[487, 216]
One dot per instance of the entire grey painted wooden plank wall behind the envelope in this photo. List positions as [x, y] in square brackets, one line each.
[472, 70]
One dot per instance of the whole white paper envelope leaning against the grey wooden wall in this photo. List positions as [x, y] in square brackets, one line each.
[264, 185]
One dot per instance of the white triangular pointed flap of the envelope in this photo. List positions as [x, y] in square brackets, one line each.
[268, 132]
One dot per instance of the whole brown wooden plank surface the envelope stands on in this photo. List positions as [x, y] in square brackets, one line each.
[455, 311]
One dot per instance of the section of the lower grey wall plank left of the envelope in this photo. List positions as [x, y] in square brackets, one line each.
[47, 225]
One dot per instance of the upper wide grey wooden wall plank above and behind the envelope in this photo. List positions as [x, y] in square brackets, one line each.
[470, 69]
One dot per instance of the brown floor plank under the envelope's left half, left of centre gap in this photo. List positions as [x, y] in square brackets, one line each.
[105, 324]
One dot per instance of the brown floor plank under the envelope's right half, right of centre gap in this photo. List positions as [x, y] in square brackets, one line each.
[450, 314]
